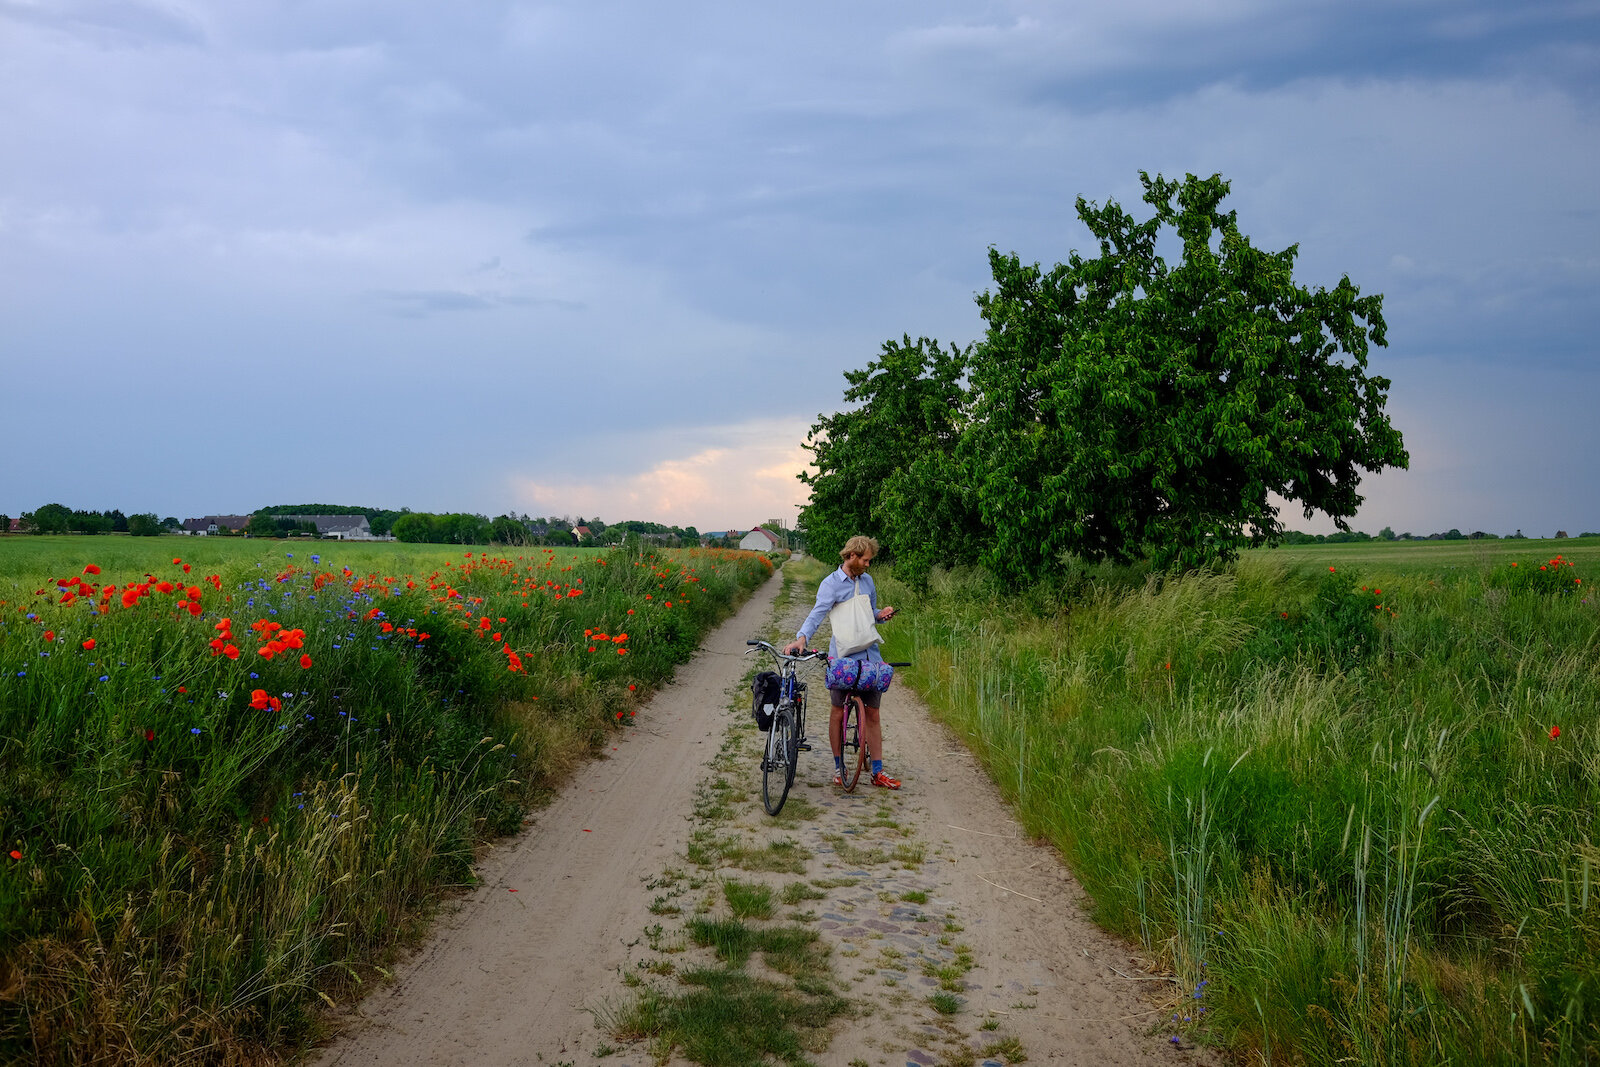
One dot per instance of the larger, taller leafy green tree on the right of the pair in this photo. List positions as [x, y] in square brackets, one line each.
[1129, 407]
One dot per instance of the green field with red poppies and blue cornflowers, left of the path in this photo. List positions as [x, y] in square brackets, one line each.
[234, 780]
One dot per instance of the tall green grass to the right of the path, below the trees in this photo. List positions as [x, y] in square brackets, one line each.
[1332, 804]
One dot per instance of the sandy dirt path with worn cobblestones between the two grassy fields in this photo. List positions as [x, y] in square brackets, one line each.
[919, 889]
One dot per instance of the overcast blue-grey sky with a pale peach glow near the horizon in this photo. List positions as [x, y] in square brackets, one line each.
[612, 258]
